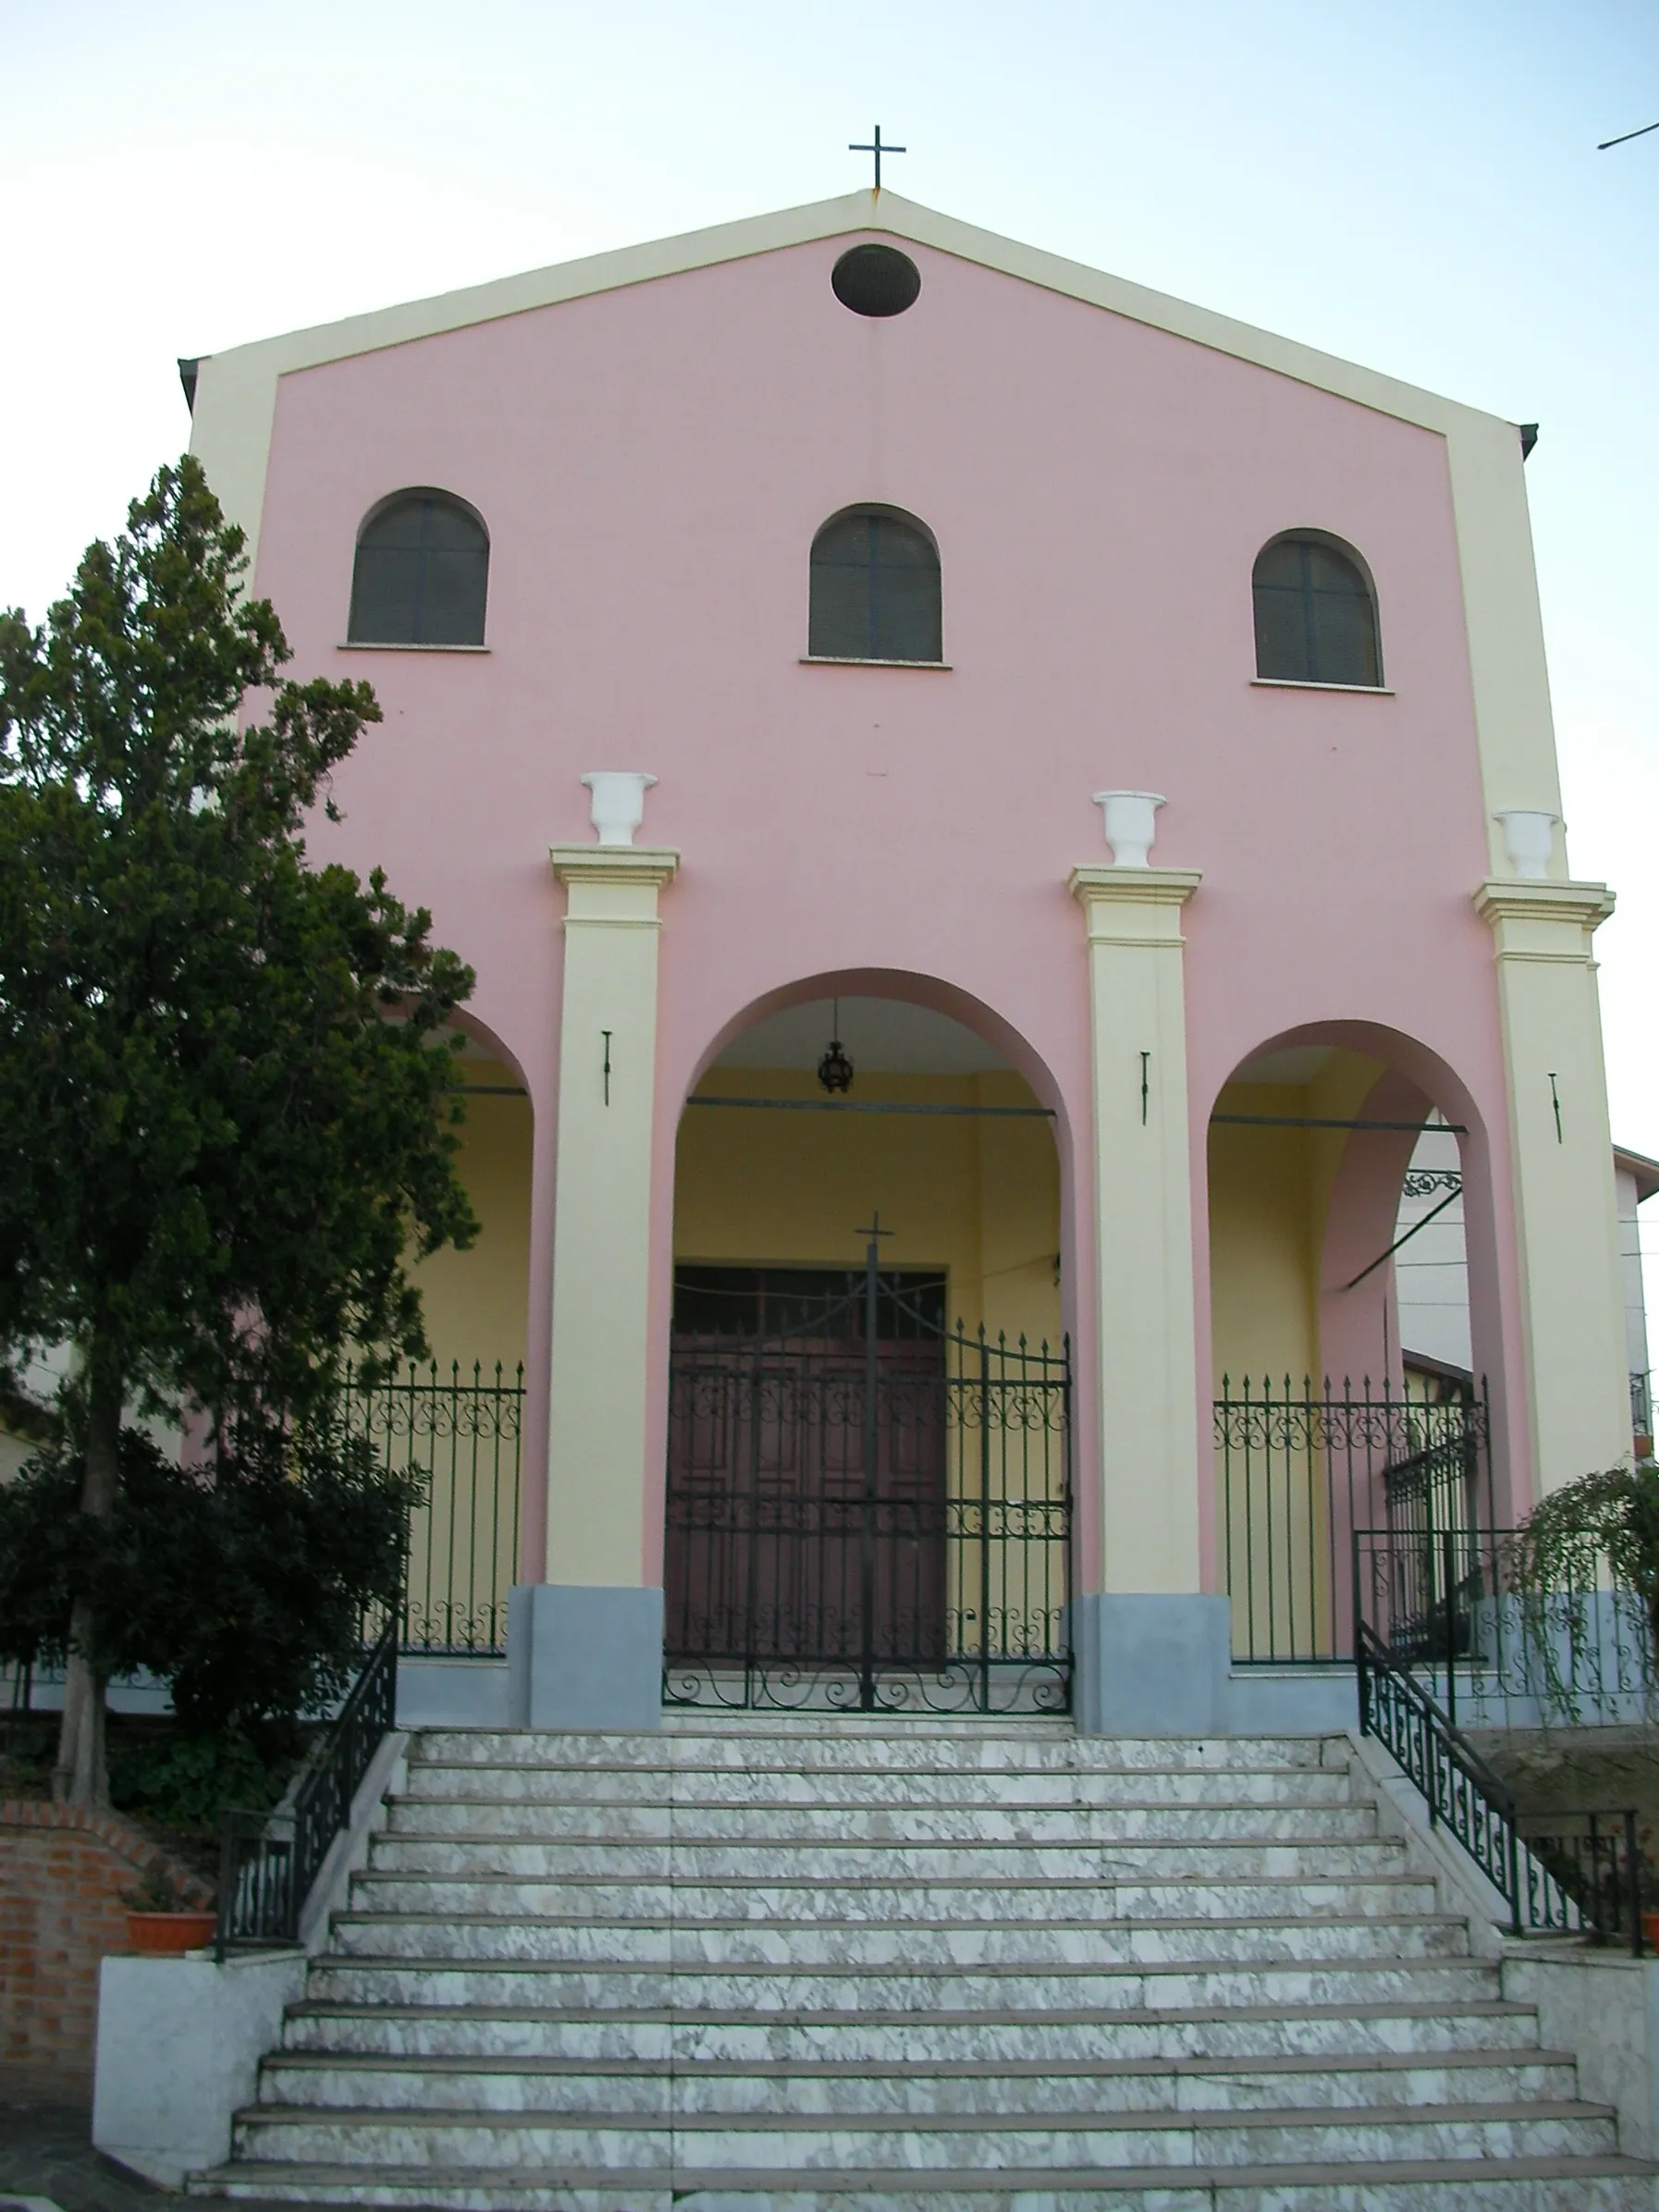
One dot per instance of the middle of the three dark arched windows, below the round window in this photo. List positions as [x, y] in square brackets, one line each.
[875, 589]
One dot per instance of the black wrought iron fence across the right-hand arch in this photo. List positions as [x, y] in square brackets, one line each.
[1302, 1470]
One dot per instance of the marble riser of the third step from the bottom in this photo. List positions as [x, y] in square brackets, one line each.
[1036, 2087]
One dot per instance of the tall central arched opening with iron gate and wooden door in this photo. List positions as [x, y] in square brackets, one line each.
[778, 1324]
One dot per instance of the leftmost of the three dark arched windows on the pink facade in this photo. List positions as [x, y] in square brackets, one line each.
[421, 574]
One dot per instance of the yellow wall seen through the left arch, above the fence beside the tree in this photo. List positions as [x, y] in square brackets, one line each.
[474, 1302]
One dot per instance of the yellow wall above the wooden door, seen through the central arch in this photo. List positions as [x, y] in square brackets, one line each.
[974, 1198]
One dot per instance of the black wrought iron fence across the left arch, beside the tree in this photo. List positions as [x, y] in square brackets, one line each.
[461, 1439]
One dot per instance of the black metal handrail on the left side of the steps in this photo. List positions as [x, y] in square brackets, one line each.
[271, 1861]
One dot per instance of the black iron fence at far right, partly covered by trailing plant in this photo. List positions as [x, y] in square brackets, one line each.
[1454, 1609]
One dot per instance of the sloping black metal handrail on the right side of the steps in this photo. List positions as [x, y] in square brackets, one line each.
[1585, 1879]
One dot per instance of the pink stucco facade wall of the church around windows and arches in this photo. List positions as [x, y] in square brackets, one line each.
[654, 466]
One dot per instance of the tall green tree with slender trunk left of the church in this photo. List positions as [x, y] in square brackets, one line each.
[227, 1094]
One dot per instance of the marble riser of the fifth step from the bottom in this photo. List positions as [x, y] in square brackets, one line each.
[897, 1987]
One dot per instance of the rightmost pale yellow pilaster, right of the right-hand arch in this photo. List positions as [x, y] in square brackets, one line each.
[1565, 1207]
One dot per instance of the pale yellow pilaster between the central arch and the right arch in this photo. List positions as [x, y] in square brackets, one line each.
[1149, 1437]
